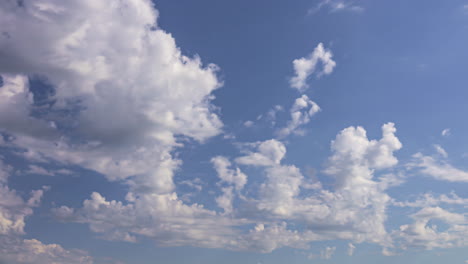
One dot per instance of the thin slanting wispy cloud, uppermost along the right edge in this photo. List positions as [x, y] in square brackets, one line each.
[439, 170]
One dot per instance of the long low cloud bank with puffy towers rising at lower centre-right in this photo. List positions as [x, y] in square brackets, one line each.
[354, 210]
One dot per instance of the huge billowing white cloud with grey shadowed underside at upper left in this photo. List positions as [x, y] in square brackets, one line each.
[123, 90]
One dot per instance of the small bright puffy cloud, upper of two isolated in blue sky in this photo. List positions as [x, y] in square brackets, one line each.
[306, 66]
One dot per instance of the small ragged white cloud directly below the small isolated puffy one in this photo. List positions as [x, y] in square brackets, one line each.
[301, 112]
